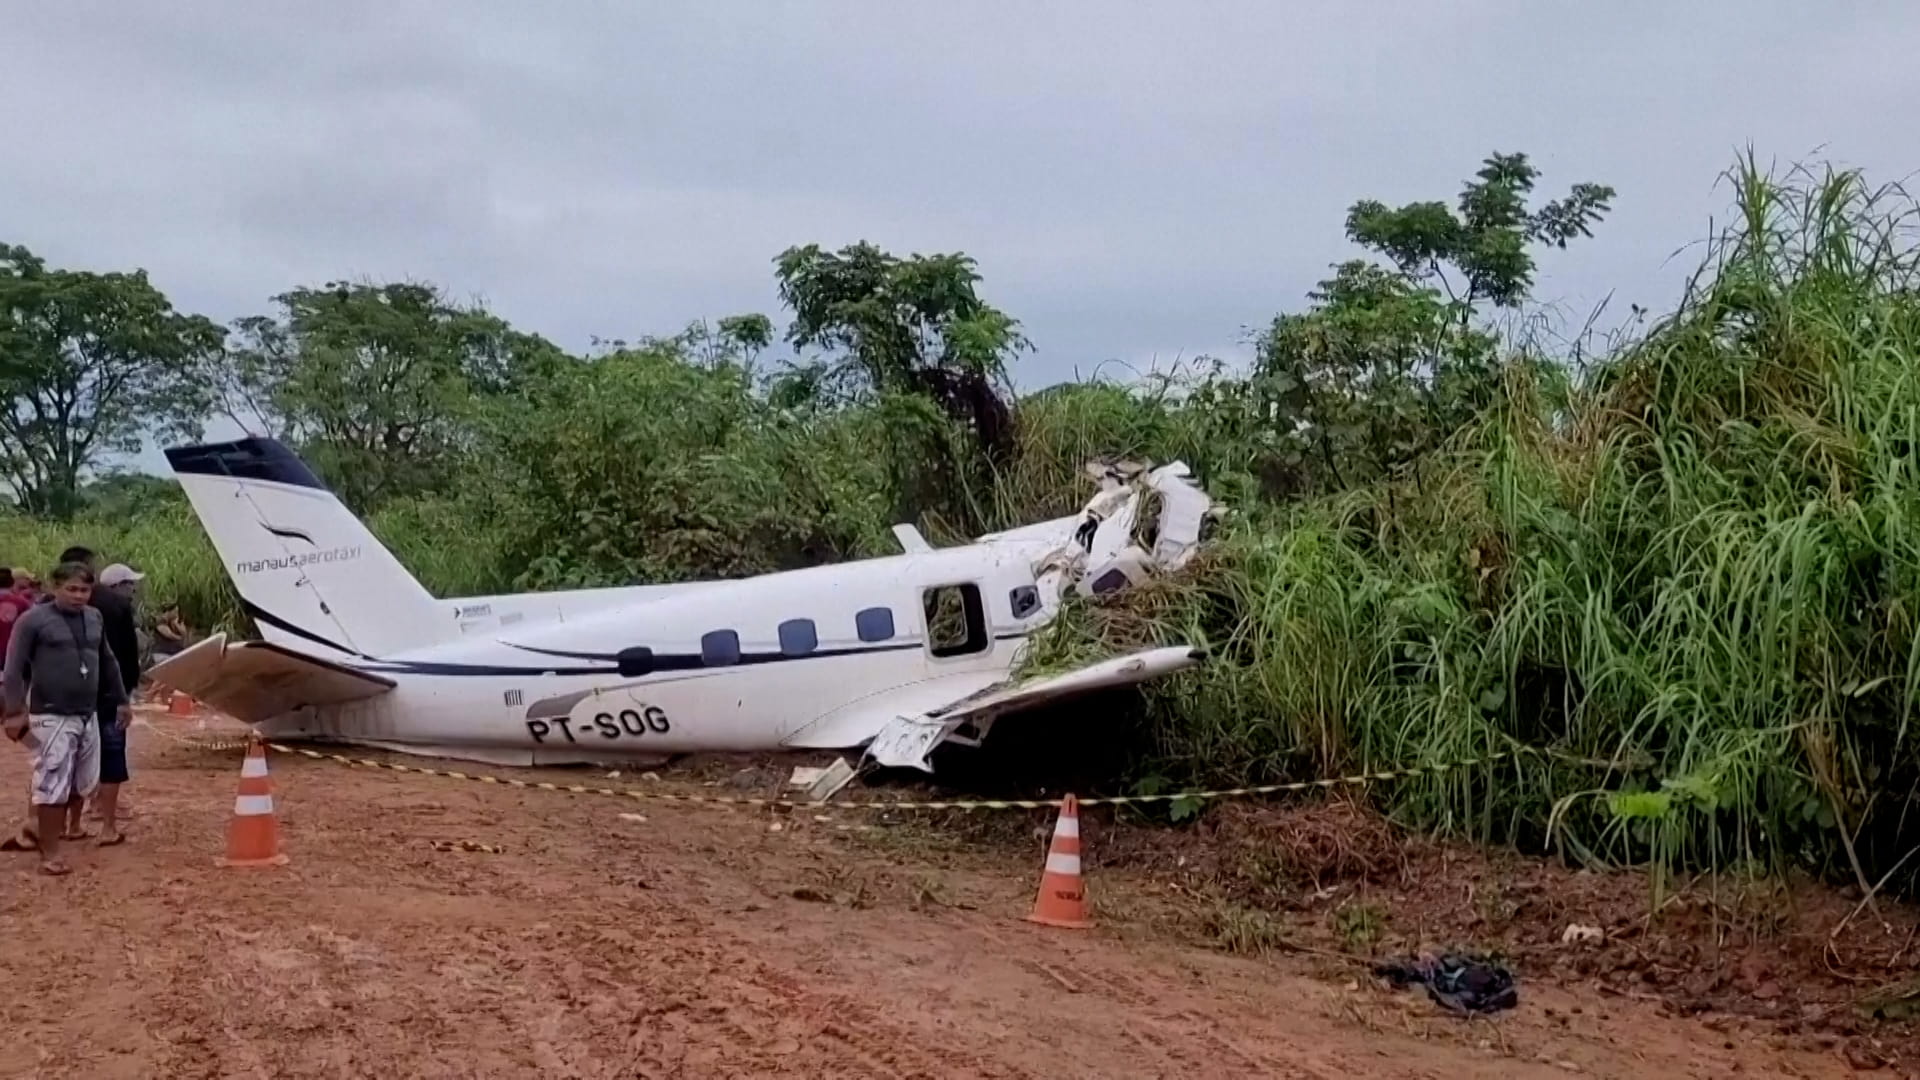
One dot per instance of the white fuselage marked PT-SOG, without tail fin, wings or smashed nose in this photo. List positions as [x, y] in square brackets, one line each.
[740, 666]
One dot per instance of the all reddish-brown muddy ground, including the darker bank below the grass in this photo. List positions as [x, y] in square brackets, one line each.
[652, 939]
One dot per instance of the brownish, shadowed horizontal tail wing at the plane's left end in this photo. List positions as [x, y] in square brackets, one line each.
[256, 681]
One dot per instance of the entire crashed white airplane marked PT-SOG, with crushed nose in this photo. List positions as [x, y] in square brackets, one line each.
[892, 656]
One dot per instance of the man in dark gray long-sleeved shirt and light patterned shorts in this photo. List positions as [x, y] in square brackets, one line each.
[72, 672]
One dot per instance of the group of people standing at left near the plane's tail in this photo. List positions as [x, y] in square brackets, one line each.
[72, 670]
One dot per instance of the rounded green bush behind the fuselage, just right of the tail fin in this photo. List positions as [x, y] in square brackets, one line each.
[650, 466]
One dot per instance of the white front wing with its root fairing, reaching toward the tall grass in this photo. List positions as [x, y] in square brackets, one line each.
[907, 725]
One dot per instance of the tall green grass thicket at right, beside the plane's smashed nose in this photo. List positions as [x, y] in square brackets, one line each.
[1704, 566]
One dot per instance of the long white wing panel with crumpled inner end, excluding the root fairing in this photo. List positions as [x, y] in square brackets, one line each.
[909, 737]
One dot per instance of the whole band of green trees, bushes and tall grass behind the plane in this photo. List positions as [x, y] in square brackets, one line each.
[1692, 554]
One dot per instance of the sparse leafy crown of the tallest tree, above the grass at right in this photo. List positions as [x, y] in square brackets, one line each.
[1481, 251]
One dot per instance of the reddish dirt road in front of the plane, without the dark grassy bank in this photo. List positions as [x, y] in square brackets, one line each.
[675, 946]
